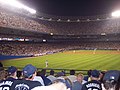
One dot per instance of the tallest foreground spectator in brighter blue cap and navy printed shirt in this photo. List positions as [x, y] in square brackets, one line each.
[27, 83]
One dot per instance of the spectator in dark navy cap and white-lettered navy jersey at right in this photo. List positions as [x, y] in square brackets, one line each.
[94, 83]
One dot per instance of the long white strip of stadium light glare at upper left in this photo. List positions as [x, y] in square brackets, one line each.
[17, 4]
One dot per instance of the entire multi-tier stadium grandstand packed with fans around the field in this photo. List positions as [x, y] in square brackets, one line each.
[24, 34]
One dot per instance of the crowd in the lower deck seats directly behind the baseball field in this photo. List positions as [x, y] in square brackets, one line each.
[37, 49]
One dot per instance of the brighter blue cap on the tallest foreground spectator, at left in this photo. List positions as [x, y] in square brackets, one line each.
[29, 70]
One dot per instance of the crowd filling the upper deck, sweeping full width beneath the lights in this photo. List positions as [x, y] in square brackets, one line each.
[12, 20]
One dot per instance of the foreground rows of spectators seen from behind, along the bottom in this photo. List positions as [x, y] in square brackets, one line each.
[31, 79]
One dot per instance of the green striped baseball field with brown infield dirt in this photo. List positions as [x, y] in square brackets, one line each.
[79, 59]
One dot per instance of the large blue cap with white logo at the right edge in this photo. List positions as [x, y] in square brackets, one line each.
[111, 75]
